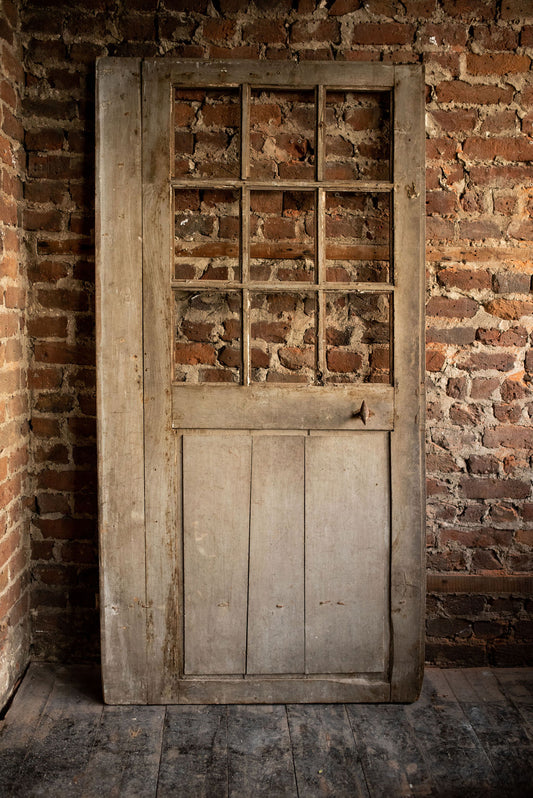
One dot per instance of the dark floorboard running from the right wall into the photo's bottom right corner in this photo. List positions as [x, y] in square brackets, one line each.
[498, 726]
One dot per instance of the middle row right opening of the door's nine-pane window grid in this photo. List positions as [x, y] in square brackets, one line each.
[358, 237]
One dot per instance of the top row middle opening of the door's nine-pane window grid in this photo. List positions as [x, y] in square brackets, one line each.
[282, 134]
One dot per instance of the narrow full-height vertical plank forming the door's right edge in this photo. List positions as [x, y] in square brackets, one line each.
[407, 439]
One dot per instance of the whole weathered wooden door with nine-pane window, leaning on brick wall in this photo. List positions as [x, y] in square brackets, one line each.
[260, 290]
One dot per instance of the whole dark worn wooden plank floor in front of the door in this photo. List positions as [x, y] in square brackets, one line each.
[470, 734]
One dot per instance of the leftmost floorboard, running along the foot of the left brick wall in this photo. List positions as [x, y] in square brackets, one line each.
[21, 719]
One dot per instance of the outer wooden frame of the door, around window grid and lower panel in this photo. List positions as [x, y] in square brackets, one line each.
[138, 462]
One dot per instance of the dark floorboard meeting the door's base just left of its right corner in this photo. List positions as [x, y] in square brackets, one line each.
[392, 762]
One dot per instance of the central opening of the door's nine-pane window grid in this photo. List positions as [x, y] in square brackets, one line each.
[282, 236]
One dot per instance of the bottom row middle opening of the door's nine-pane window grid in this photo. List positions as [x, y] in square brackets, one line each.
[283, 337]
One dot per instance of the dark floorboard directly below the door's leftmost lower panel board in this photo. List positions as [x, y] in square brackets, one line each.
[194, 759]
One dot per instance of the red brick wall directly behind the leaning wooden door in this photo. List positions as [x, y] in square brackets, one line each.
[477, 55]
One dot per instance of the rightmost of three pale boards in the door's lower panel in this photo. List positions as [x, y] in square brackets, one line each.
[347, 552]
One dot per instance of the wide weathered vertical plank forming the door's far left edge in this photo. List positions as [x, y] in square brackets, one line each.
[119, 362]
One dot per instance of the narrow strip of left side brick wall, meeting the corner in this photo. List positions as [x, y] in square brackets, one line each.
[14, 553]
